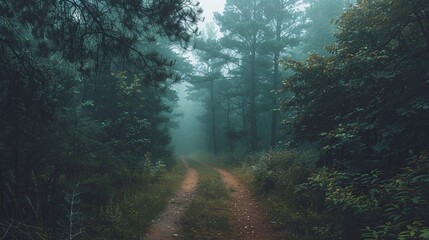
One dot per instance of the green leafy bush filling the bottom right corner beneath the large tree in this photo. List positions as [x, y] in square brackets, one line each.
[374, 207]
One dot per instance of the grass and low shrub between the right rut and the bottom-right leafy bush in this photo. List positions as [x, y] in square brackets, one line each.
[273, 176]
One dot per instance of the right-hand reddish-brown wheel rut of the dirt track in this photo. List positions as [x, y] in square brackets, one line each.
[248, 219]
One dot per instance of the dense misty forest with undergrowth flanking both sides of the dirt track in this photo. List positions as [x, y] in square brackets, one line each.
[323, 105]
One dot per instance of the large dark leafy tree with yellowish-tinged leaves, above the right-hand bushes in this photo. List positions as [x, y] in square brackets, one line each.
[367, 104]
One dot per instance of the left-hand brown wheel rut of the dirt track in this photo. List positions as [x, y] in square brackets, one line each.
[168, 225]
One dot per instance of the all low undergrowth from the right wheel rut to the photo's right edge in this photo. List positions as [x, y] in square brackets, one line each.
[306, 202]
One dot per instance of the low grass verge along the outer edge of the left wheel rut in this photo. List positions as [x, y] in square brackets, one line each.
[130, 217]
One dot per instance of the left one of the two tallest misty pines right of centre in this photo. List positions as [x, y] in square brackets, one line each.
[244, 28]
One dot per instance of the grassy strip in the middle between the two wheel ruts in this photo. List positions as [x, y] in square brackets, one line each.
[208, 214]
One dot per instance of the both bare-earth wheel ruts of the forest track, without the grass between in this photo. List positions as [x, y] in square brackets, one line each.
[247, 219]
